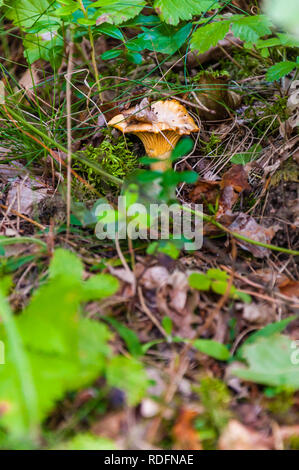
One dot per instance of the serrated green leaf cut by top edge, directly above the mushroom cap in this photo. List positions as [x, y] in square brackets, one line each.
[172, 11]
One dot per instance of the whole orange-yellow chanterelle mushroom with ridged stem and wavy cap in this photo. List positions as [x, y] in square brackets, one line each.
[159, 126]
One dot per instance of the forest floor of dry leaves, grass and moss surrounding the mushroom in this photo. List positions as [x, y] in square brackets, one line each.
[168, 298]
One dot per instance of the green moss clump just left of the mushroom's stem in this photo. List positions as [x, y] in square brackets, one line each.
[115, 157]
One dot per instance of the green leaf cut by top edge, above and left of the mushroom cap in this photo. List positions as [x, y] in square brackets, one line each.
[117, 11]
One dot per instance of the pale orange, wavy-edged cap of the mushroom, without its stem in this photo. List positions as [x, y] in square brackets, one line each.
[168, 115]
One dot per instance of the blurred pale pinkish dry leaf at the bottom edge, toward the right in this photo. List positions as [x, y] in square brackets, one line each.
[238, 437]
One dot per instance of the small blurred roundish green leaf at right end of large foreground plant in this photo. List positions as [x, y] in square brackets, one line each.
[128, 375]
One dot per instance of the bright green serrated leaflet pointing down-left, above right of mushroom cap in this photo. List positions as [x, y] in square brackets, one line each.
[208, 36]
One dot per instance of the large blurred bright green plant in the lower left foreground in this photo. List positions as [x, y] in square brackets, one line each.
[51, 348]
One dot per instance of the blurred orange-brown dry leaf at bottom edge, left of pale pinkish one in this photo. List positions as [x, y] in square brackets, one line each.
[184, 434]
